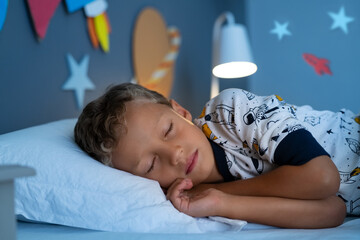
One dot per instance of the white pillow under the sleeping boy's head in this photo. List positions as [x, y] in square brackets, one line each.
[70, 188]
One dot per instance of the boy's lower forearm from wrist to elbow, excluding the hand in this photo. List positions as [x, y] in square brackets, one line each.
[285, 212]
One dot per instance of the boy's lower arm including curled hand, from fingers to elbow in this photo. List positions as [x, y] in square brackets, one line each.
[275, 211]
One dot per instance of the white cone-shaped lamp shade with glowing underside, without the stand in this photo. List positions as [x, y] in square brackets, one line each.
[234, 58]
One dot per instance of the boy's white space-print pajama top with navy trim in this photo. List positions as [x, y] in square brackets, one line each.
[250, 129]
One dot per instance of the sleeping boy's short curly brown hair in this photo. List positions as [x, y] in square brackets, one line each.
[102, 122]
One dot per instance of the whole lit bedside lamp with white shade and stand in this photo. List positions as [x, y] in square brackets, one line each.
[231, 52]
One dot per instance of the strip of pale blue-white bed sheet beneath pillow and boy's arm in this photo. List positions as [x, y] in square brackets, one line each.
[350, 230]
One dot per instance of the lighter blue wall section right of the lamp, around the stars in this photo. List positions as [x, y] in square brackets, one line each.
[282, 69]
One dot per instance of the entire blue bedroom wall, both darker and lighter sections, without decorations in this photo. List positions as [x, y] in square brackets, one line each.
[32, 72]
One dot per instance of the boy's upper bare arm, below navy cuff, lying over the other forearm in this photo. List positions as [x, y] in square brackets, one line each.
[316, 179]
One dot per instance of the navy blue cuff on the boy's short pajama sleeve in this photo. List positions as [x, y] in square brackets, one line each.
[298, 148]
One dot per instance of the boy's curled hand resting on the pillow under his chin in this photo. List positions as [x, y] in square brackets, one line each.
[200, 204]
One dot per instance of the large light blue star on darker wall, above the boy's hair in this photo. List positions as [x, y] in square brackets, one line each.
[78, 81]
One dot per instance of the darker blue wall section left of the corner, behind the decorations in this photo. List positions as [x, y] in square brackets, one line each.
[32, 72]
